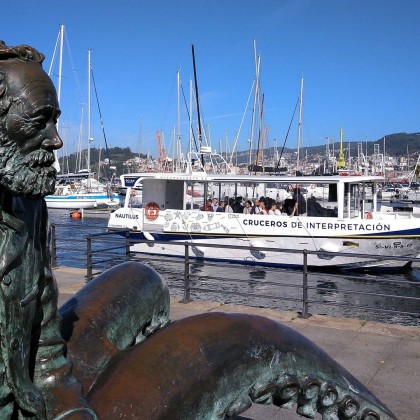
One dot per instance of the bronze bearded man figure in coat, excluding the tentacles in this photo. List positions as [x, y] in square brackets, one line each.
[36, 377]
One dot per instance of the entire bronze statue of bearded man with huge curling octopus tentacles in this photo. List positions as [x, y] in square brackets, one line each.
[114, 336]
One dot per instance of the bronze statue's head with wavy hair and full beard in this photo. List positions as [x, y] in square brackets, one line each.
[28, 114]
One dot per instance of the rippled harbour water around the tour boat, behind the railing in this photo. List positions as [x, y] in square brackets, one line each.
[338, 294]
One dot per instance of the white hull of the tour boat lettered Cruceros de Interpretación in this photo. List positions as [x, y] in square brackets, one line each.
[283, 239]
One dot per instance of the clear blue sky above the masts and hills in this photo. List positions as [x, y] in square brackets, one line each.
[360, 62]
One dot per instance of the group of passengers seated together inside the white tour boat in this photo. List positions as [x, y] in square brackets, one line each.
[296, 205]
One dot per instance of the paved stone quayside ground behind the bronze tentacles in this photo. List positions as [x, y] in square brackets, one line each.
[384, 357]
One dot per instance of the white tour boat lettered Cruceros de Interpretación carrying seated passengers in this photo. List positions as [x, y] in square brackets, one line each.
[351, 223]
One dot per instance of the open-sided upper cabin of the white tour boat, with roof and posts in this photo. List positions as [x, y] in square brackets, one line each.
[348, 196]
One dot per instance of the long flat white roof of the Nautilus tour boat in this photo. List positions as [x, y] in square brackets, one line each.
[129, 180]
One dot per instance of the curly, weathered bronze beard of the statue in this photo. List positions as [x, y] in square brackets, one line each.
[31, 176]
